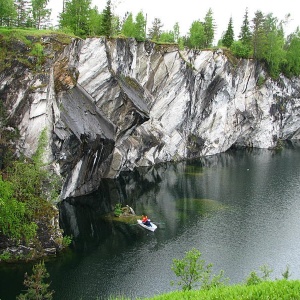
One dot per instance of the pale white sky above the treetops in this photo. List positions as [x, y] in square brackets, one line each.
[186, 11]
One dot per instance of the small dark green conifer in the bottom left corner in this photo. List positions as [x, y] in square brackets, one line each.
[36, 286]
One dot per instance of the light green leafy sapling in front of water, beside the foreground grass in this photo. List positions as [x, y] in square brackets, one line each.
[193, 271]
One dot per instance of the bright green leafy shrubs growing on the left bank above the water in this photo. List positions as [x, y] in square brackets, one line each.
[24, 193]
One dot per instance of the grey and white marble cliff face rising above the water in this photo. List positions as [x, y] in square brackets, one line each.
[113, 105]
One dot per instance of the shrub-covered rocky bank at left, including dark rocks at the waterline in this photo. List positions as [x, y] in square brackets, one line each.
[27, 214]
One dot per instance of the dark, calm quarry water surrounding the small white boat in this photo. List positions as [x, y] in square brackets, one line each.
[241, 209]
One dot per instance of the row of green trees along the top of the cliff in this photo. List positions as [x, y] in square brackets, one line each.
[261, 37]
